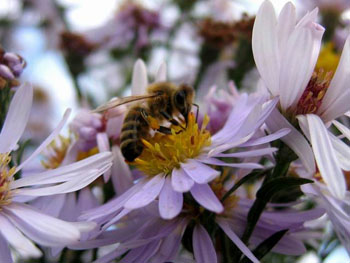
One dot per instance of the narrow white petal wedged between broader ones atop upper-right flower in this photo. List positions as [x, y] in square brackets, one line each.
[286, 24]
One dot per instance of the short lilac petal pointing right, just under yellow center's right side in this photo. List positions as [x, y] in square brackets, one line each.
[199, 172]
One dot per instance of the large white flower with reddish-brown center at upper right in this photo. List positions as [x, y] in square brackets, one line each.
[286, 61]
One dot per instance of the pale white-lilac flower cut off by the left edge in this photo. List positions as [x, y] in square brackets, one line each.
[21, 223]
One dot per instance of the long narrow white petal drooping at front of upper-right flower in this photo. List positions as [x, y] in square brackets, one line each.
[325, 157]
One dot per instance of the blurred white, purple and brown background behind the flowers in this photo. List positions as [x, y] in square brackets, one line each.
[80, 53]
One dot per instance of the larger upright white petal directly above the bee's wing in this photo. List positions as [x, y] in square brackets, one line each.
[139, 78]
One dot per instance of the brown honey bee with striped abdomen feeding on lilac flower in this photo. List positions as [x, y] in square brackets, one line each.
[162, 102]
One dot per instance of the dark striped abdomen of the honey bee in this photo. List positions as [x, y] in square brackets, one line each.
[134, 129]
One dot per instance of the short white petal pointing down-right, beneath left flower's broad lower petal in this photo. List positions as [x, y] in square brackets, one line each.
[17, 240]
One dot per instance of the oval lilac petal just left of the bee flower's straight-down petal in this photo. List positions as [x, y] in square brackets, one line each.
[147, 193]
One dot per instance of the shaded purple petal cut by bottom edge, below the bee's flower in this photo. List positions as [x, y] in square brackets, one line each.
[203, 248]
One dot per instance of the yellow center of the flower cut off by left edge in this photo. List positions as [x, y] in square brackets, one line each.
[6, 177]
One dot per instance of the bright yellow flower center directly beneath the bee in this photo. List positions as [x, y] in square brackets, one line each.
[164, 152]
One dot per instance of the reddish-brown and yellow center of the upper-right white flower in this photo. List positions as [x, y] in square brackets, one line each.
[313, 95]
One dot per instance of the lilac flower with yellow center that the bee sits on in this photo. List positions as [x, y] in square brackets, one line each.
[181, 162]
